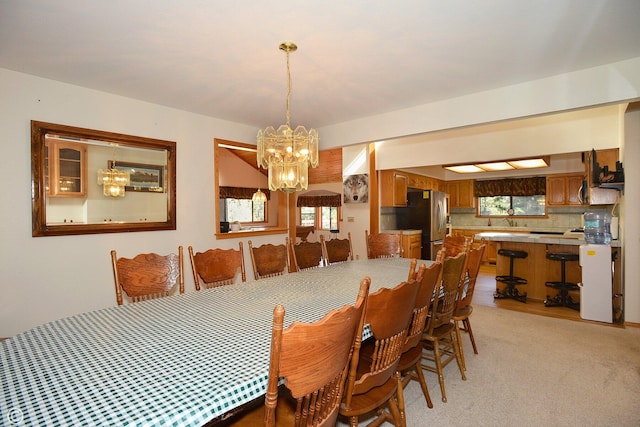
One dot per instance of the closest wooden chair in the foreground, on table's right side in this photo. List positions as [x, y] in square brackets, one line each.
[313, 359]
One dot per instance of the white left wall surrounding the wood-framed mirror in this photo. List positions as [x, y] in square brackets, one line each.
[45, 278]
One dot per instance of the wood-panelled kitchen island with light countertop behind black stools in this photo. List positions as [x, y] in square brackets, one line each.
[538, 270]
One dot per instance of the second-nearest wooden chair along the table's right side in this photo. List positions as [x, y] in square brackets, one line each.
[374, 383]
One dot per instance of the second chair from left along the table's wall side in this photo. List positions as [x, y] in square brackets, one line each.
[217, 267]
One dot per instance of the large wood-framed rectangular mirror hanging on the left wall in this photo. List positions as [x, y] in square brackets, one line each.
[75, 187]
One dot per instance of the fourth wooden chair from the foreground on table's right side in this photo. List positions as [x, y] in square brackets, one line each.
[440, 345]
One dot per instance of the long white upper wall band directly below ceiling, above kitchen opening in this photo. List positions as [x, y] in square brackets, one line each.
[601, 85]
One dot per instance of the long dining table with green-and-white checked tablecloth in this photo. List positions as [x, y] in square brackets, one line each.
[183, 360]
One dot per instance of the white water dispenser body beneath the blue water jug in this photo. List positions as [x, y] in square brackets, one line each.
[596, 289]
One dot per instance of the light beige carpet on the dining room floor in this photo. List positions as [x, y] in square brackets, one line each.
[535, 371]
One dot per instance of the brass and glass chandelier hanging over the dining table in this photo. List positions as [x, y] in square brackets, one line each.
[286, 153]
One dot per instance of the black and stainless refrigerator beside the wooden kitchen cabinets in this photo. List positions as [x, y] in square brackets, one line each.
[426, 211]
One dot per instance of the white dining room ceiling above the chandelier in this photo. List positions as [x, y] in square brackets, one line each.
[355, 58]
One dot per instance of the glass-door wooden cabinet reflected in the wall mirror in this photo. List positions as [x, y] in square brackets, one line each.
[65, 169]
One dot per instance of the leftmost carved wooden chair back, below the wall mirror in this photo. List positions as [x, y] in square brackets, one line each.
[147, 276]
